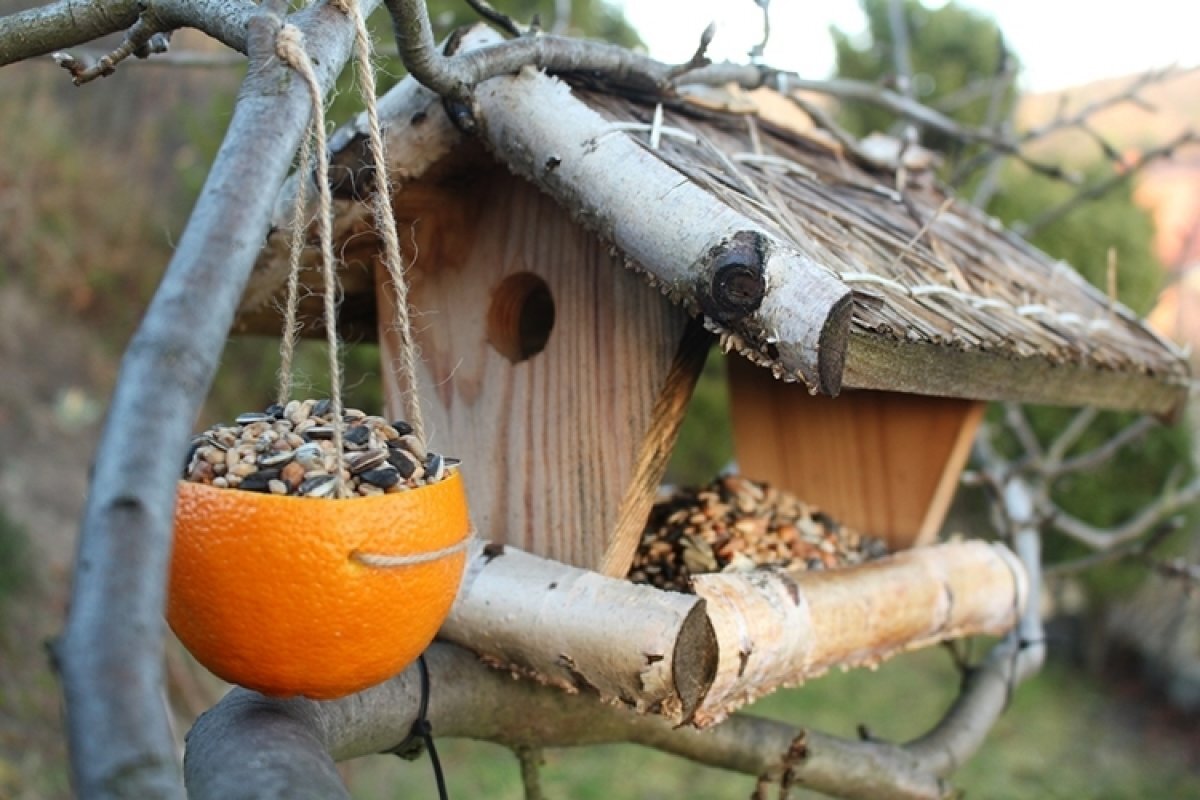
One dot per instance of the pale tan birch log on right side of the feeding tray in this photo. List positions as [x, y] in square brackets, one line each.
[777, 629]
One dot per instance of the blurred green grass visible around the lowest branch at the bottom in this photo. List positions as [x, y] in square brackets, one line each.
[1061, 738]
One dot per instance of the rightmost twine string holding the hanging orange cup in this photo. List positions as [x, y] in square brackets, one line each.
[386, 220]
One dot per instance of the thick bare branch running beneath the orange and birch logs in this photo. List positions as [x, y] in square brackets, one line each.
[248, 744]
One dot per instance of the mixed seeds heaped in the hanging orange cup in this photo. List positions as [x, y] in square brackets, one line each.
[290, 450]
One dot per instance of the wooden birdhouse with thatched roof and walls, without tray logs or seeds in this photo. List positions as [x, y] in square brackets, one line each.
[574, 258]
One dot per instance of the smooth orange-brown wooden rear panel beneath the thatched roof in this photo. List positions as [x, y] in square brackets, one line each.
[883, 462]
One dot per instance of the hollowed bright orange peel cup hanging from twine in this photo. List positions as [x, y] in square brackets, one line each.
[272, 592]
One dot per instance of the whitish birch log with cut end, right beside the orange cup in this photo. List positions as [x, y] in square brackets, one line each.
[556, 624]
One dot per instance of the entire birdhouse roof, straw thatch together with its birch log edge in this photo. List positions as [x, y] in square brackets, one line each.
[941, 299]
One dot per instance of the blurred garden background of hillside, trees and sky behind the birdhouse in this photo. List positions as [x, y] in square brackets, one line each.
[97, 184]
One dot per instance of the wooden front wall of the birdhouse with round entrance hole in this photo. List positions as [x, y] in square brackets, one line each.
[550, 446]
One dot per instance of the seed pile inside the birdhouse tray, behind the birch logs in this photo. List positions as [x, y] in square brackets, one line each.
[736, 525]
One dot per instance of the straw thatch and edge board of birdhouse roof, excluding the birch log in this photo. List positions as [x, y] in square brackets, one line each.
[945, 302]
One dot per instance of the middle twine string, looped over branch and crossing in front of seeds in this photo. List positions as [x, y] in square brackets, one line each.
[290, 46]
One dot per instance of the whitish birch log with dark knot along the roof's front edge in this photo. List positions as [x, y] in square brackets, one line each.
[783, 310]
